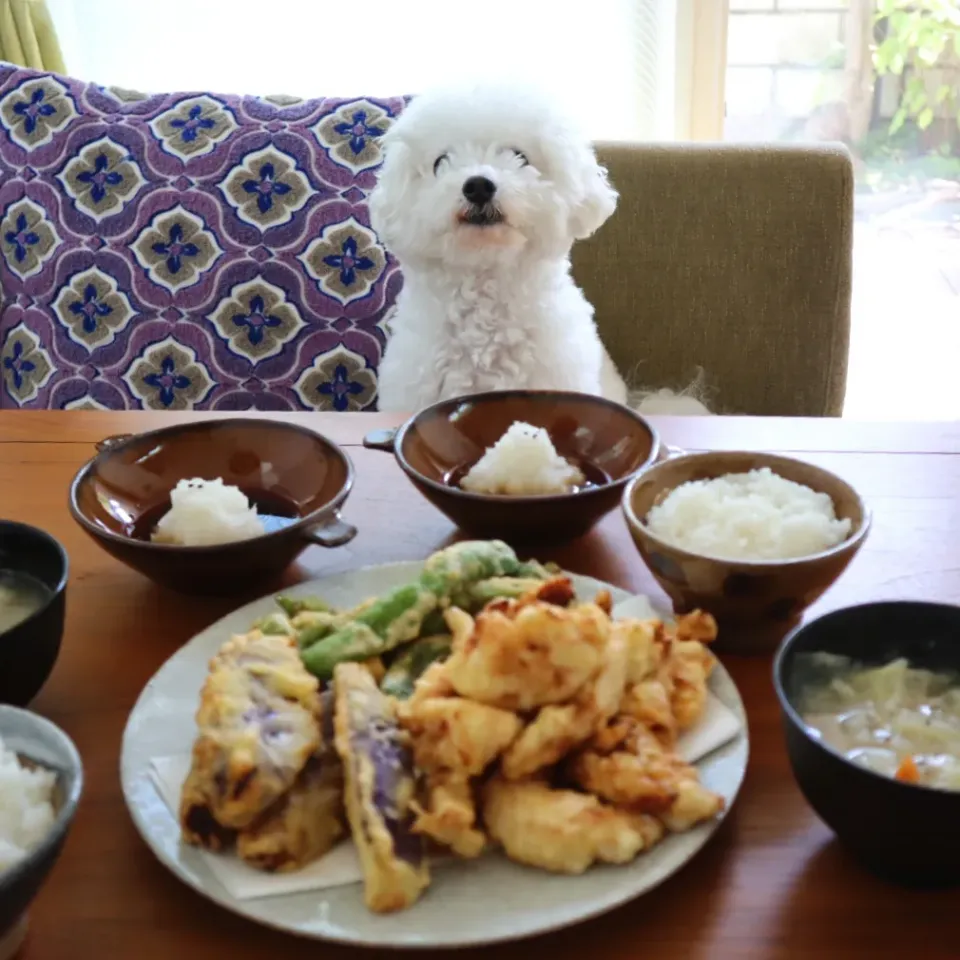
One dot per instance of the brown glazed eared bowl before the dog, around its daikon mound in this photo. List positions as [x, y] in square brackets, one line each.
[449, 437]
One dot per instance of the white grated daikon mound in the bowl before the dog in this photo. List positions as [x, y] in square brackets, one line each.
[523, 462]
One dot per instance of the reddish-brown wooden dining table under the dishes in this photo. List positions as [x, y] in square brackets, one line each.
[772, 882]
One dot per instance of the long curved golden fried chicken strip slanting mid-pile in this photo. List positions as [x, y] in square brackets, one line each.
[556, 730]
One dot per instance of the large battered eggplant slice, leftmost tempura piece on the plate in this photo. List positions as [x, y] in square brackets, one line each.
[257, 727]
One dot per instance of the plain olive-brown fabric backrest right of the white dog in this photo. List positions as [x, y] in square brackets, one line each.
[734, 259]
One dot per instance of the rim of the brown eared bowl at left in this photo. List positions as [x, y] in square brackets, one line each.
[303, 523]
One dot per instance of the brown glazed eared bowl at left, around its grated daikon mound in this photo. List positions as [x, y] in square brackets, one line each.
[297, 478]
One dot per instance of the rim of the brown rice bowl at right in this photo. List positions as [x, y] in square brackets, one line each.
[853, 541]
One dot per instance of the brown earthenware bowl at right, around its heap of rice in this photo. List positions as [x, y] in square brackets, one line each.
[755, 603]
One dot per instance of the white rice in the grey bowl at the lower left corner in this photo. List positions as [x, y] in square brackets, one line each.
[26, 807]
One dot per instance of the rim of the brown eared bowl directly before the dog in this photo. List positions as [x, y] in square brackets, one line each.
[586, 493]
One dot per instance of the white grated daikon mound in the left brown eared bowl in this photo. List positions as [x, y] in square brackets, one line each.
[207, 512]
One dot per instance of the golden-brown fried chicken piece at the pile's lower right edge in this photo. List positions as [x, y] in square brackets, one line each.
[644, 776]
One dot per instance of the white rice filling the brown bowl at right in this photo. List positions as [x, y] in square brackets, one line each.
[748, 516]
